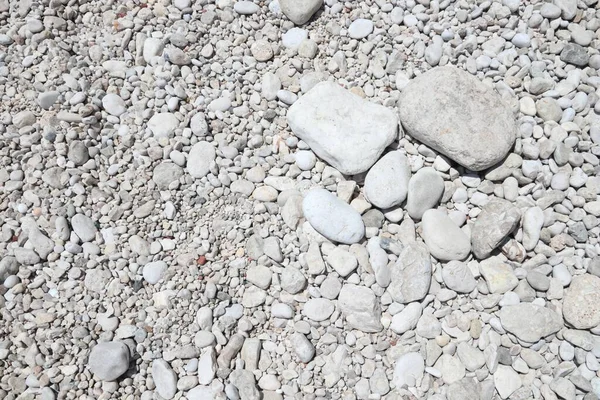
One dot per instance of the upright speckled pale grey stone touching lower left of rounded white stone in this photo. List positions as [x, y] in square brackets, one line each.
[411, 274]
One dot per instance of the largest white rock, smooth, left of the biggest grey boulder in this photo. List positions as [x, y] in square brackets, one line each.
[343, 129]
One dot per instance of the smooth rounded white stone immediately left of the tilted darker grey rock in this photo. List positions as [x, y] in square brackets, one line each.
[444, 239]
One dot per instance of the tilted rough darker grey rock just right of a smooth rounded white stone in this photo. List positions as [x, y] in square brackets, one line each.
[495, 222]
